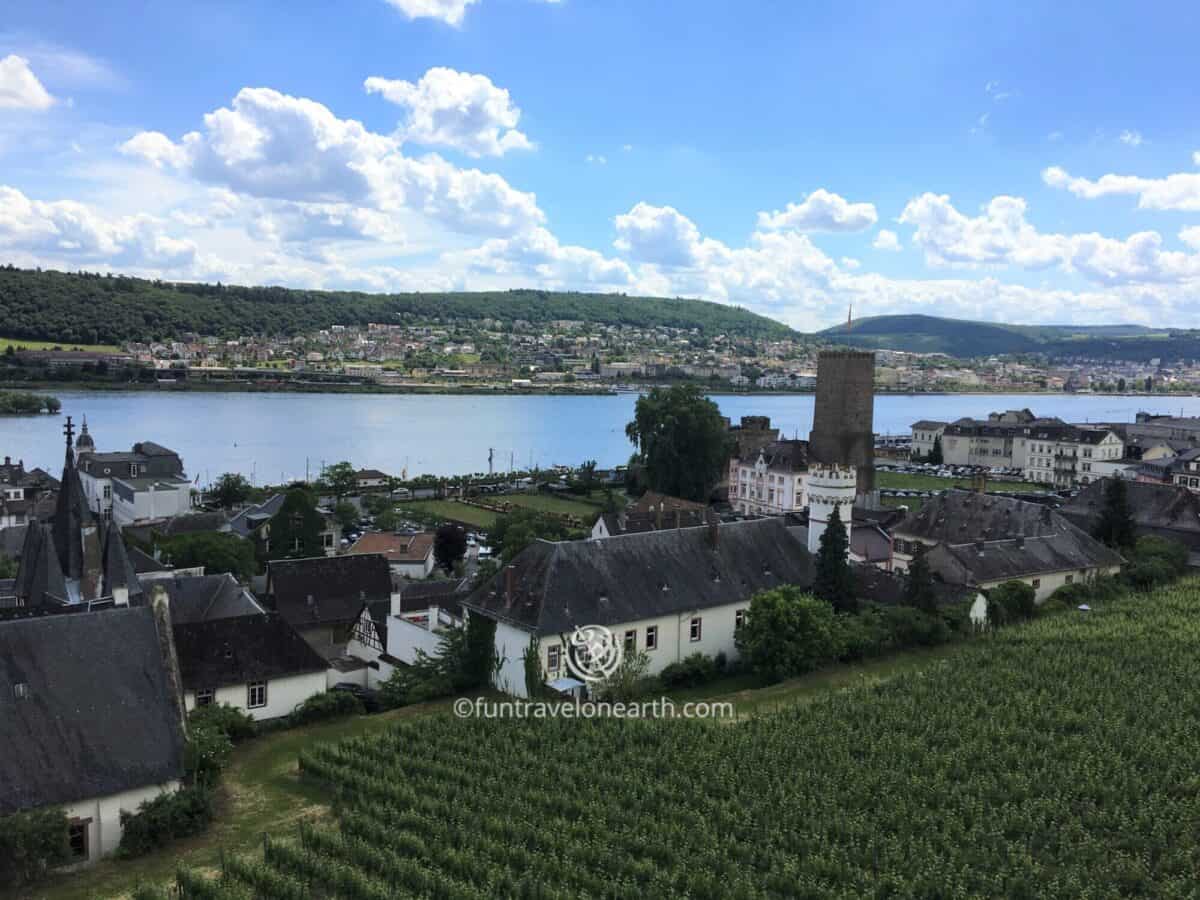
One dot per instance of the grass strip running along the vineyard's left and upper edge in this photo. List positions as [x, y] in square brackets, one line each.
[262, 793]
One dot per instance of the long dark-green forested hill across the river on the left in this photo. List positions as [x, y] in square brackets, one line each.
[100, 309]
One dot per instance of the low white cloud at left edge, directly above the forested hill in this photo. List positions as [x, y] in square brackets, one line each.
[76, 231]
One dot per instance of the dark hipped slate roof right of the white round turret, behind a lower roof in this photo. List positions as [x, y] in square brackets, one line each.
[962, 517]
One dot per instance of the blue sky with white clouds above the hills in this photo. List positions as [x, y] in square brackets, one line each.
[1017, 163]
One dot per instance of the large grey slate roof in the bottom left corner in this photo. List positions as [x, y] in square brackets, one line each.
[100, 717]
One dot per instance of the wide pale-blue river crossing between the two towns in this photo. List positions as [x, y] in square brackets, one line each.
[279, 437]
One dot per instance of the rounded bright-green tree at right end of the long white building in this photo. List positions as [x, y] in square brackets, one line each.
[788, 633]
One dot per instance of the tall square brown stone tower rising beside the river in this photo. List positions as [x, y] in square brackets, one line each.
[844, 418]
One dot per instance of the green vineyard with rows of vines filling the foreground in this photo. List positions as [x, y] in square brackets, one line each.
[1054, 760]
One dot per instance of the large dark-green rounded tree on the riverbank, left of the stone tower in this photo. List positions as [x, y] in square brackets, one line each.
[682, 440]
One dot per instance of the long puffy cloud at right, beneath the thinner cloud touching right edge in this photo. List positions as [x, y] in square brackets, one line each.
[1001, 236]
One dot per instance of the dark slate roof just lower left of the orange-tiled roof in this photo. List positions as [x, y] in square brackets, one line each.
[328, 590]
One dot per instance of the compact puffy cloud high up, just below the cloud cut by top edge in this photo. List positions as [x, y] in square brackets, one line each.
[455, 110]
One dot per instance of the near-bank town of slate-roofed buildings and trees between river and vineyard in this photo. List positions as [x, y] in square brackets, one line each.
[221, 611]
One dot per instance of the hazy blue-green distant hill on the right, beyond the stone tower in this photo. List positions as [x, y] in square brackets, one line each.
[967, 339]
